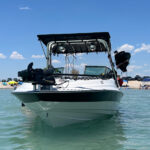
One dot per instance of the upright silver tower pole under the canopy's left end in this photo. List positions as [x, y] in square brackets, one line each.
[49, 54]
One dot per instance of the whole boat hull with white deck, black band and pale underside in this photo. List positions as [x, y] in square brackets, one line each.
[78, 101]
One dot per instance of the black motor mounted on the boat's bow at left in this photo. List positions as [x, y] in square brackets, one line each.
[37, 76]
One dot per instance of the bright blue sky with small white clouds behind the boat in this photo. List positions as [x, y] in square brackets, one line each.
[21, 21]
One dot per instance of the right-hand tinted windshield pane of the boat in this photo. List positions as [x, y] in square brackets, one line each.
[96, 70]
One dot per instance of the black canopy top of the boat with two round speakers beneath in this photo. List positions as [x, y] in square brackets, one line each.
[77, 42]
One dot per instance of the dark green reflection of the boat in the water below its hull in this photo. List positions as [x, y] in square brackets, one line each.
[106, 134]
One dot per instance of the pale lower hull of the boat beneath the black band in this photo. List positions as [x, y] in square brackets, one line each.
[64, 113]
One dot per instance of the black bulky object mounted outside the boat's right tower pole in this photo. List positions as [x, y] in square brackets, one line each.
[122, 60]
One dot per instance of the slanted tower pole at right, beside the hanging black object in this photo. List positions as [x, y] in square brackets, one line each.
[112, 66]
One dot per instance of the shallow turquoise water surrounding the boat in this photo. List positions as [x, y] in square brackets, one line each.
[128, 130]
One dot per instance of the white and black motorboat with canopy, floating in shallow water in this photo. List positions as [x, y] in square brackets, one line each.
[62, 99]
